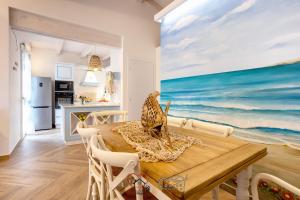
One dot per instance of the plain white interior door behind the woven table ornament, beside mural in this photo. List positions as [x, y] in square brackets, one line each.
[140, 83]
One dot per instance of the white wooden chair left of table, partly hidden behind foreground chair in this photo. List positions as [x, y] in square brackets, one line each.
[86, 134]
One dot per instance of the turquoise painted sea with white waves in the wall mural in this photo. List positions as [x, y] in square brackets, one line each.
[262, 104]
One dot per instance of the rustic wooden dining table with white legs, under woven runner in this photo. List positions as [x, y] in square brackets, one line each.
[200, 168]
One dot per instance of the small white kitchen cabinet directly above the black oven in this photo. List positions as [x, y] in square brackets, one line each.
[64, 71]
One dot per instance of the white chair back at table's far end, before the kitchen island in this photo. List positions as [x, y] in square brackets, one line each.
[107, 116]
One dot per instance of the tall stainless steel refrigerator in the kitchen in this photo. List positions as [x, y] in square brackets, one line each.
[41, 102]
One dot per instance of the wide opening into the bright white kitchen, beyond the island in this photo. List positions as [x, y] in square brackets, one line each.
[49, 64]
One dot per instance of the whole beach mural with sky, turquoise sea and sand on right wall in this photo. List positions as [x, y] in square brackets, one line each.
[237, 63]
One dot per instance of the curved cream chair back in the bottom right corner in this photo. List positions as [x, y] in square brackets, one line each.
[267, 177]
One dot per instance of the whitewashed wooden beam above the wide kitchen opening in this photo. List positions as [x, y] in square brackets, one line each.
[27, 21]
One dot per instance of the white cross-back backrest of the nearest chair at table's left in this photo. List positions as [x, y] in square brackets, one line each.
[107, 159]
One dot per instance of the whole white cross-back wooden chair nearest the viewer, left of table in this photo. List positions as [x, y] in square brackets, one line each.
[104, 160]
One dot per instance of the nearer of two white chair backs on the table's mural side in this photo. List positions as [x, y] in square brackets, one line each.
[207, 127]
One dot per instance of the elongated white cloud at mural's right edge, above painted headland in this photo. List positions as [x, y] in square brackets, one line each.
[283, 40]
